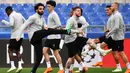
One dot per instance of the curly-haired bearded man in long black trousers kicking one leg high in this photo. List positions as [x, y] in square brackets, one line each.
[36, 28]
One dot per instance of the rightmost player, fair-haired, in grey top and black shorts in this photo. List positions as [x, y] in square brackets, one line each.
[117, 33]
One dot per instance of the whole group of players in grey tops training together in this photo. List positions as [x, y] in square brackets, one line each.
[75, 38]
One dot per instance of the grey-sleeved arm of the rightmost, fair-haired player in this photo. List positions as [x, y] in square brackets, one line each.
[116, 25]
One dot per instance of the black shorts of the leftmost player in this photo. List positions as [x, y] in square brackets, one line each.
[15, 45]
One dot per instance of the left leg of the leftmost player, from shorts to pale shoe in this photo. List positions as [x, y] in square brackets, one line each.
[10, 51]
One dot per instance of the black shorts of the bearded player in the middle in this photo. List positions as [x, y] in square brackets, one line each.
[76, 46]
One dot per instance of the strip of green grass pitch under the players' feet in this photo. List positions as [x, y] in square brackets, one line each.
[55, 70]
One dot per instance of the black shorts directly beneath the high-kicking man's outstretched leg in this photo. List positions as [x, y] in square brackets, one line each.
[52, 43]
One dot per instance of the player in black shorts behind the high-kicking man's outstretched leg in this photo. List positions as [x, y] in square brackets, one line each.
[52, 41]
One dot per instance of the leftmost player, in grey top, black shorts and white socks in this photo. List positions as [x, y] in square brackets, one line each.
[15, 22]
